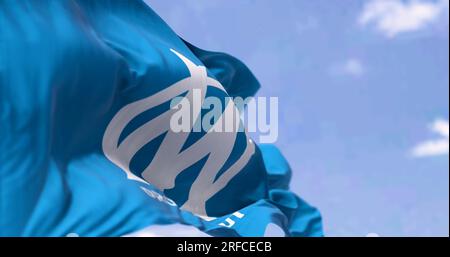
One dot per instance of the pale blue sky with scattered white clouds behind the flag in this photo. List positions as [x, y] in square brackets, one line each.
[363, 91]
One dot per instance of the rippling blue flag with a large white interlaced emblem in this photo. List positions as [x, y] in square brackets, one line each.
[85, 93]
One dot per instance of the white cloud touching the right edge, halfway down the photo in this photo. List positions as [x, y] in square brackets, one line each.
[436, 146]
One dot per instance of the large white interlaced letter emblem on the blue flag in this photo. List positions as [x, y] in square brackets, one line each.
[169, 161]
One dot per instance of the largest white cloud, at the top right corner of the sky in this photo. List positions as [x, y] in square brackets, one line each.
[392, 17]
